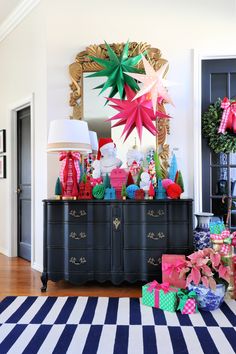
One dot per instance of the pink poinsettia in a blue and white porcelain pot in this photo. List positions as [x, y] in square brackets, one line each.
[208, 276]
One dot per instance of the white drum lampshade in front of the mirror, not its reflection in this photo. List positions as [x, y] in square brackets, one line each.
[69, 135]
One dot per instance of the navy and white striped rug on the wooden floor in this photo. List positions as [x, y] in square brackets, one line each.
[103, 325]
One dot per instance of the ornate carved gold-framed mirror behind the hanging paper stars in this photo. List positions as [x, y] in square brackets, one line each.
[83, 97]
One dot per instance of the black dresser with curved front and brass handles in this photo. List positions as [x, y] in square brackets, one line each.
[113, 240]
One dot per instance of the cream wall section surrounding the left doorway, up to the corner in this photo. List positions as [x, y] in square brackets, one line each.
[23, 74]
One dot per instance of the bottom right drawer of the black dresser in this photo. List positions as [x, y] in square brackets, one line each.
[142, 261]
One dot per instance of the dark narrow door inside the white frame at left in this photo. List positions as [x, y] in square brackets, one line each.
[23, 122]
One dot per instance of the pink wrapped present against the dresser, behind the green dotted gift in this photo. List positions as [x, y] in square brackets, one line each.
[171, 267]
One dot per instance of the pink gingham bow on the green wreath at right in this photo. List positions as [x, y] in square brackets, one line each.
[228, 117]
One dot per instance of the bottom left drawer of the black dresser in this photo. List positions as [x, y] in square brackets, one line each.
[87, 261]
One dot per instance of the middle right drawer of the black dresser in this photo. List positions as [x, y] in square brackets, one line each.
[145, 236]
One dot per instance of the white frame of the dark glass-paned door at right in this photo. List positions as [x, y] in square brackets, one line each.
[198, 57]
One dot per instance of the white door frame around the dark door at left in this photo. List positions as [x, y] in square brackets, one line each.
[12, 173]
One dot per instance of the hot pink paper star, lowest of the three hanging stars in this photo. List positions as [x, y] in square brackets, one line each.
[135, 113]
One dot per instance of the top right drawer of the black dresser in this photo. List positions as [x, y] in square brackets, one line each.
[150, 212]
